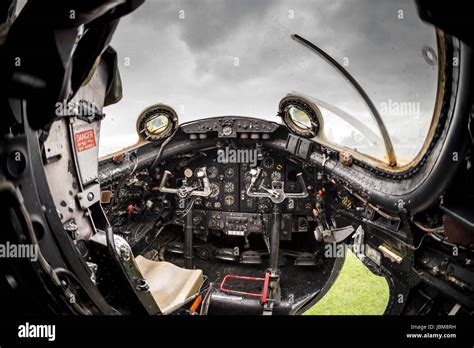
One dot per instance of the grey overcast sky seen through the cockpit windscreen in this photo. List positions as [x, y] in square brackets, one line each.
[229, 57]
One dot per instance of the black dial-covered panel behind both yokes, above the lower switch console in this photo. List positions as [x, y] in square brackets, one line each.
[229, 183]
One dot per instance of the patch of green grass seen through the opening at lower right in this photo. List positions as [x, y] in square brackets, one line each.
[356, 292]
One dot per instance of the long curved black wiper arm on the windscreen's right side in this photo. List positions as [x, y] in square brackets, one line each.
[392, 159]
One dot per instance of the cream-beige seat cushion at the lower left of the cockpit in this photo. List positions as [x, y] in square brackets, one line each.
[169, 284]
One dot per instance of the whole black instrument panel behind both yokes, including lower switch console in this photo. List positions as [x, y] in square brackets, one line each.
[230, 209]
